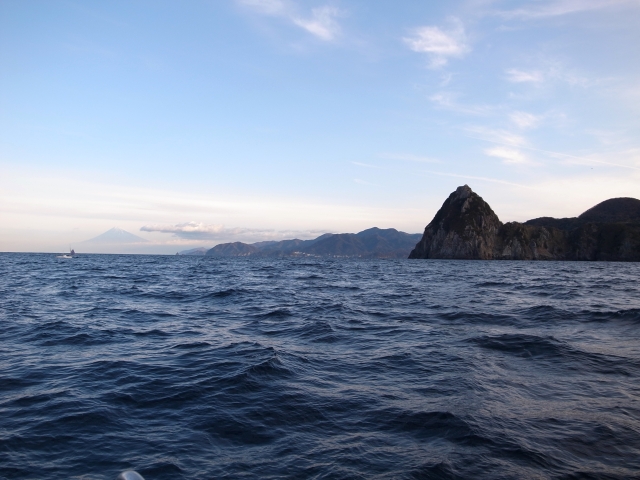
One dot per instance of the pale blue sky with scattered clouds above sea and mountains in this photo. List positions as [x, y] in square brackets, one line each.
[193, 123]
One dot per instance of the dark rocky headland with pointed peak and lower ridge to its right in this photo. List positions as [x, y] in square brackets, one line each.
[467, 228]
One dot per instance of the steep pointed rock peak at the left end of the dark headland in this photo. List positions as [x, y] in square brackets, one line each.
[464, 228]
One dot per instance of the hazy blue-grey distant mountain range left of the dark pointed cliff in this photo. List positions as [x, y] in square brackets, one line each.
[371, 243]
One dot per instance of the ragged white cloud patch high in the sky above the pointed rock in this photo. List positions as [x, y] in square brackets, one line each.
[439, 44]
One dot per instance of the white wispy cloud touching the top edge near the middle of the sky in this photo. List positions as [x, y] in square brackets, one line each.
[321, 22]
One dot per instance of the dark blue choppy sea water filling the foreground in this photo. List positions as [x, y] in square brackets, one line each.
[198, 368]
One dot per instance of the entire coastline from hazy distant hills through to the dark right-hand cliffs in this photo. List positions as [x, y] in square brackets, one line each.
[466, 228]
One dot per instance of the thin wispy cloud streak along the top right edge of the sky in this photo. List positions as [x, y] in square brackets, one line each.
[555, 8]
